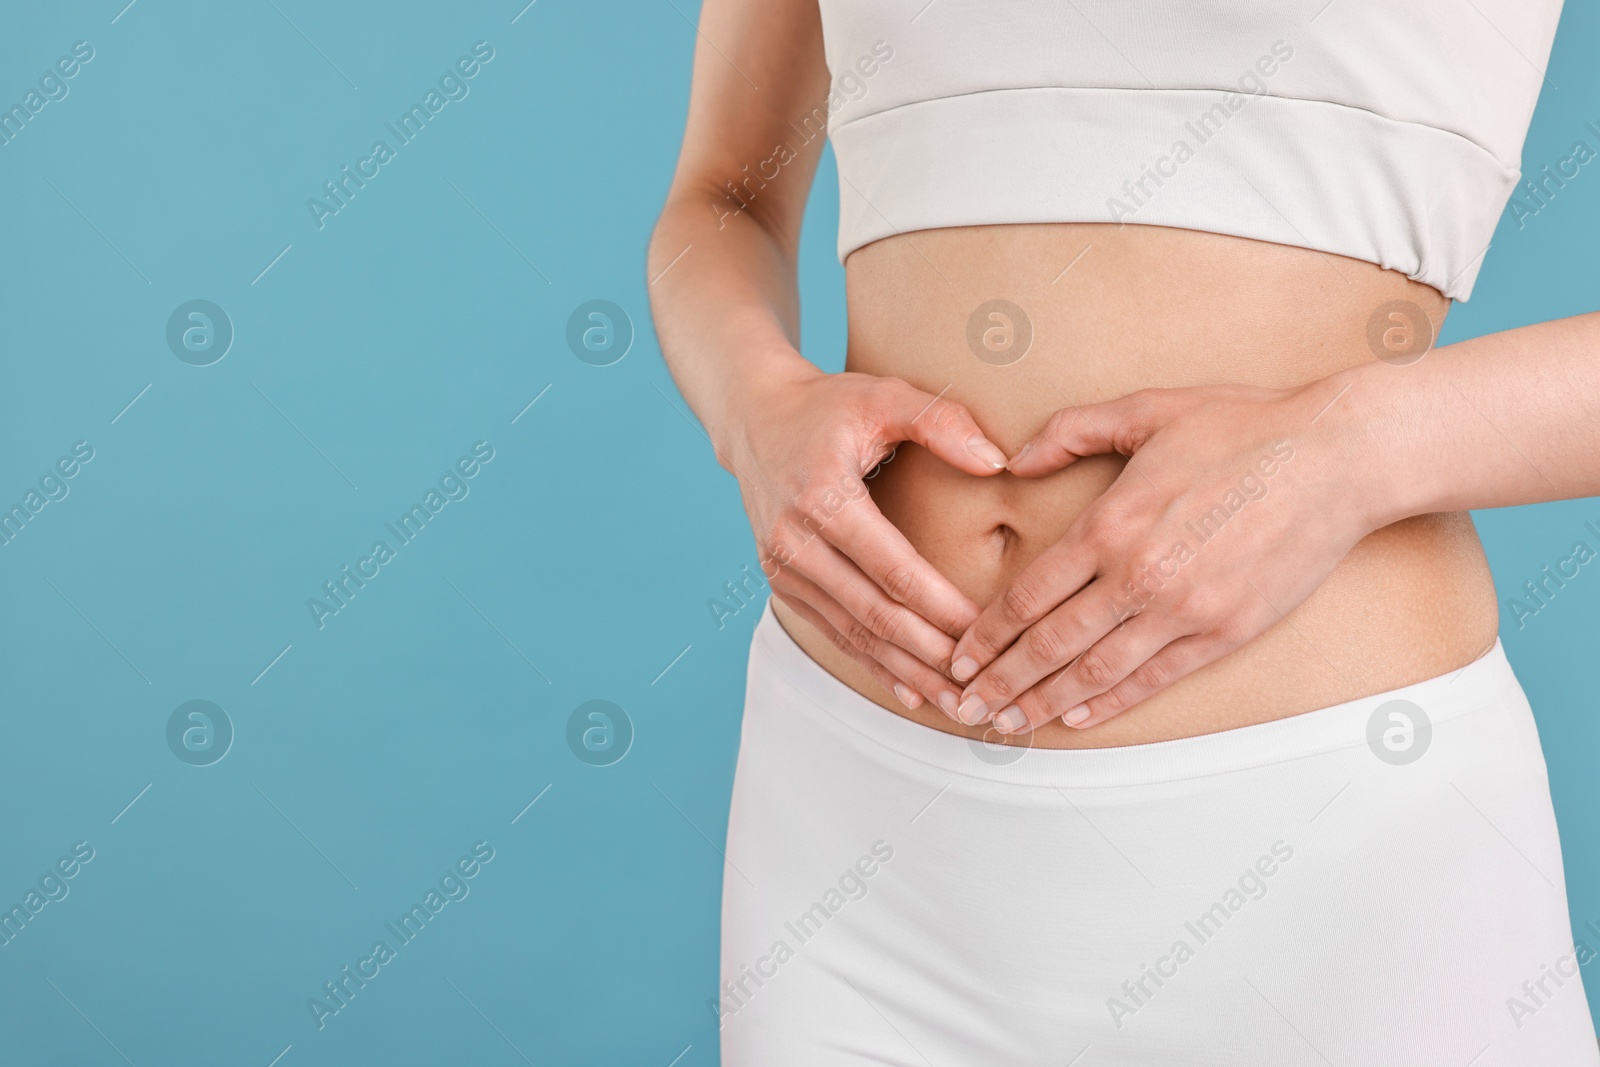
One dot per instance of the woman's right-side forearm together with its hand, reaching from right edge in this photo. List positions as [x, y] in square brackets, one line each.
[1148, 586]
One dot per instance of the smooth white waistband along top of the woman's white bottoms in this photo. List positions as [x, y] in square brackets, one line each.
[1486, 682]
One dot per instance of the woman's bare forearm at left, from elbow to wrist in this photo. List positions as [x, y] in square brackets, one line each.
[727, 310]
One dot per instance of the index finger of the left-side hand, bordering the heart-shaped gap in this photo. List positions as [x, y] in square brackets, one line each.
[892, 564]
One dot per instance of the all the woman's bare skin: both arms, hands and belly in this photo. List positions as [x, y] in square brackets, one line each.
[970, 591]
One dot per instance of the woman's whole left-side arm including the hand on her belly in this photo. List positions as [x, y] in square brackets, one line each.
[726, 302]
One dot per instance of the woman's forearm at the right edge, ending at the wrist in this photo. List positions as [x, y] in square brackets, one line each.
[1510, 418]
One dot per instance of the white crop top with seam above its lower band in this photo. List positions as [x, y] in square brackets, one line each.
[1385, 130]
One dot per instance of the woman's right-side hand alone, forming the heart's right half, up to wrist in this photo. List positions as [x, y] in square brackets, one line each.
[1236, 505]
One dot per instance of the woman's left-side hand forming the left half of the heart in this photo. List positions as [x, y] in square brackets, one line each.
[802, 449]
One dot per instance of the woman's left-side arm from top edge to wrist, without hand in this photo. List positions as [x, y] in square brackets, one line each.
[722, 276]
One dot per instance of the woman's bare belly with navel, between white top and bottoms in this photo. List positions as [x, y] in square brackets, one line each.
[1148, 306]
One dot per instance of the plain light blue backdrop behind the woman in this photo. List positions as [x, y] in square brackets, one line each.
[431, 711]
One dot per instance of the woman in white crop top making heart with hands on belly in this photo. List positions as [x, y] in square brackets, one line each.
[1130, 692]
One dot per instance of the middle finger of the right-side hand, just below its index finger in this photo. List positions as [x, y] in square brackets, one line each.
[1041, 650]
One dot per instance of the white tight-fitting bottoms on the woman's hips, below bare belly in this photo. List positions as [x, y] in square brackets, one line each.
[1369, 885]
